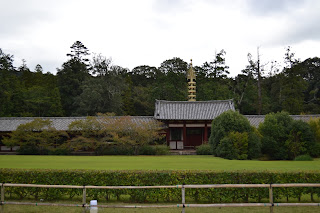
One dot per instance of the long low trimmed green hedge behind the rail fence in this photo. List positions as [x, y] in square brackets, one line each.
[149, 178]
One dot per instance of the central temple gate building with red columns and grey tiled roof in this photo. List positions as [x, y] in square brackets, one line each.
[189, 122]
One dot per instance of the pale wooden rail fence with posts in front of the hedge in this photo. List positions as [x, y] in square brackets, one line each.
[183, 204]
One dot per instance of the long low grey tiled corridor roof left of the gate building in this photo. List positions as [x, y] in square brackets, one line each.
[8, 124]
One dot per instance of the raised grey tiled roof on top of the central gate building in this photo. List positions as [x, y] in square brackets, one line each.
[191, 110]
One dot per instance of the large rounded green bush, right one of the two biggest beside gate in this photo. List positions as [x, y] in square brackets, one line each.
[284, 138]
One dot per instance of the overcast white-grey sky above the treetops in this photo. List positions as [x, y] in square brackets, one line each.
[147, 32]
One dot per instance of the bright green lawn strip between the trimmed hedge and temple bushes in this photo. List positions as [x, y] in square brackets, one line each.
[151, 163]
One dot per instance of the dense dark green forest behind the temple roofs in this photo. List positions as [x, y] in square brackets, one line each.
[90, 83]
